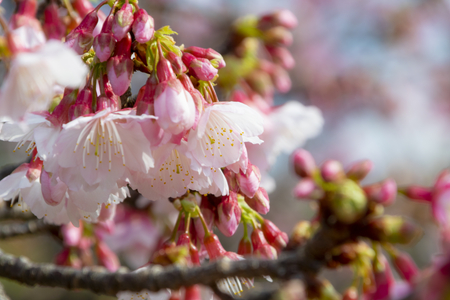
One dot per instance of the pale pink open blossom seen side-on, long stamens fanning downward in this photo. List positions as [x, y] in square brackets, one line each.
[102, 147]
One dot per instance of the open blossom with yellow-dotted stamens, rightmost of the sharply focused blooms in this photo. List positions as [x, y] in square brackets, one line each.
[219, 138]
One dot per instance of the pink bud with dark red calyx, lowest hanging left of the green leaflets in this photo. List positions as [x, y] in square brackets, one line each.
[120, 67]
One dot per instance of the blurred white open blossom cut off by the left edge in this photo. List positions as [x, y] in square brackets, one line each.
[29, 85]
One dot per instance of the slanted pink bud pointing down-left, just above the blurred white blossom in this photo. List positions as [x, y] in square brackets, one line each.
[81, 38]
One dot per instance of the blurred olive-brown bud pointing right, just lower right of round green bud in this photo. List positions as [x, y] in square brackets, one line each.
[392, 229]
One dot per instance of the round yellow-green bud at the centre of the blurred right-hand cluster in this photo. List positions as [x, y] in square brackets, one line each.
[347, 202]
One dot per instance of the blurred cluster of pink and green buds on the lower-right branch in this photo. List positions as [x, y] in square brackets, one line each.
[344, 202]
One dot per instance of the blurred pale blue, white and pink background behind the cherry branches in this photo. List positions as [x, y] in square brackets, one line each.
[379, 71]
